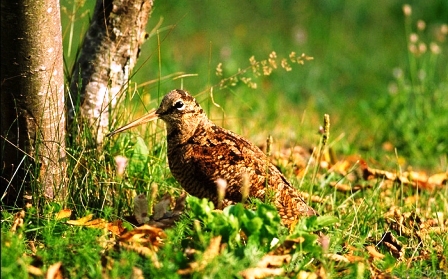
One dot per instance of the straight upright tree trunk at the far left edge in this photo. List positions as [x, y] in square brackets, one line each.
[32, 100]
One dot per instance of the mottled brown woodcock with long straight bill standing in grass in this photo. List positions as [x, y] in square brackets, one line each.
[201, 153]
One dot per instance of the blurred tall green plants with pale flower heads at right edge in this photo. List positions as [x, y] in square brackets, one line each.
[415, 112]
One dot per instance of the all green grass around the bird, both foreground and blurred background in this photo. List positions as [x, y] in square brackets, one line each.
[364, 75]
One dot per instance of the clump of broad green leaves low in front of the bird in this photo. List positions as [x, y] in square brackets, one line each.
[246, 234]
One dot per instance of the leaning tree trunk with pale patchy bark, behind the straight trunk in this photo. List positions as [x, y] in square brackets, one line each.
[109, 52]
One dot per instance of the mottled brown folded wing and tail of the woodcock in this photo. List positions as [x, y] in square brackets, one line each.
[228, 156]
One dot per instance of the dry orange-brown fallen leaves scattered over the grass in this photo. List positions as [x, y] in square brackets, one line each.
[412, 225]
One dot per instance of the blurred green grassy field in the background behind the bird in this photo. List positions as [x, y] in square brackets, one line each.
[363, 73]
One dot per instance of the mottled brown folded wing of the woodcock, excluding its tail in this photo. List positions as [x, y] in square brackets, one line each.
[218, 153]
